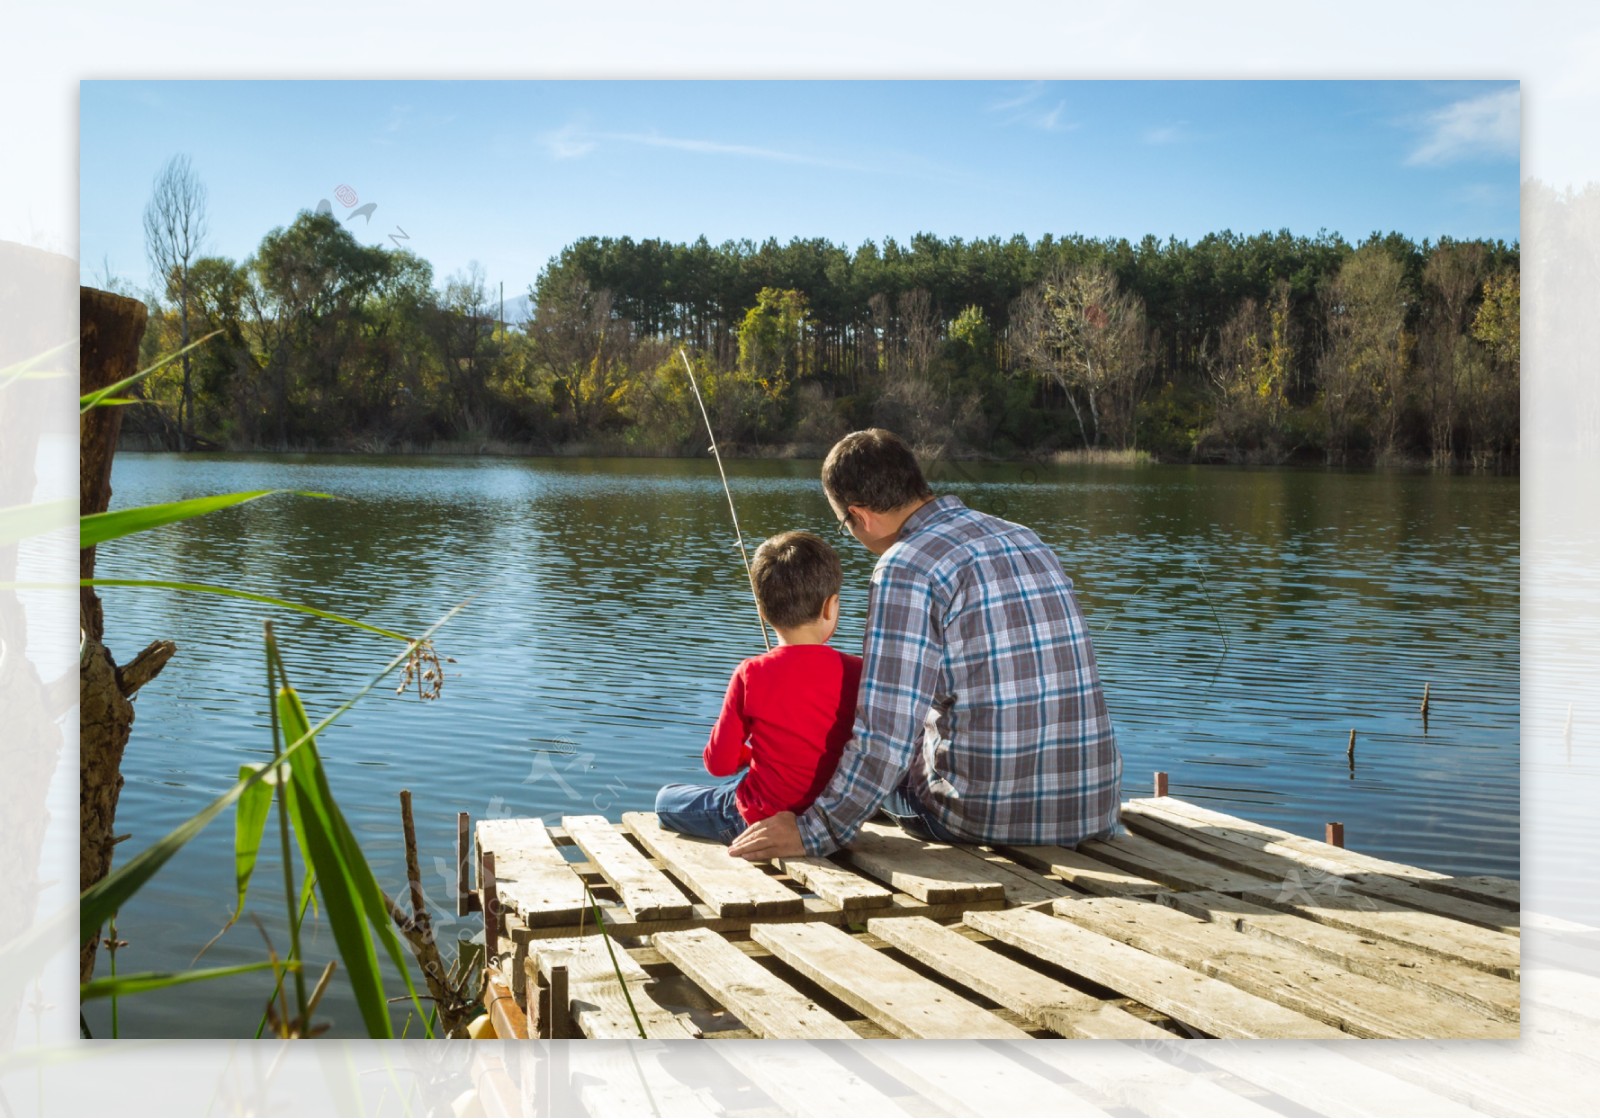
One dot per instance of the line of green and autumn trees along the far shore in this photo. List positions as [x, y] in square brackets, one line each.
[1271, 348]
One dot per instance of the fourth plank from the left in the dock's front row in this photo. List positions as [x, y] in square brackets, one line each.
[1038, 998]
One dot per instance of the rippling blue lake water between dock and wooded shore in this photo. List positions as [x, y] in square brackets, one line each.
[1246, 622]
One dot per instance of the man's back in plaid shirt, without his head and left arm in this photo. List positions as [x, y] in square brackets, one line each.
[1023, 748]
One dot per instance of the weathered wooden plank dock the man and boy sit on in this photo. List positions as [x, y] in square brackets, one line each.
[1194, 924]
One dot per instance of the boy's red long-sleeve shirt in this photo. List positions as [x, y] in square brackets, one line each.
[788, 716]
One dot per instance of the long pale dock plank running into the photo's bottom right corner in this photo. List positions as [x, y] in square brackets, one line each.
[1316, 989]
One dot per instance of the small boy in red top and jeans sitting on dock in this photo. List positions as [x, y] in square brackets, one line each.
[788, 712]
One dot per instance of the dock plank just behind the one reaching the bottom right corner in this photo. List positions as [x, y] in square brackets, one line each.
[1380, 960]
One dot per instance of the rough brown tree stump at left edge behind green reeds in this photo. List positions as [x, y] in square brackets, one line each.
[110, 335]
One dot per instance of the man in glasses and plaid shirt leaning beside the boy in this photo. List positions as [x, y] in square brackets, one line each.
[982, 716]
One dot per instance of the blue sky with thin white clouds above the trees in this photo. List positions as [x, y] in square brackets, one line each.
[508, 174]
